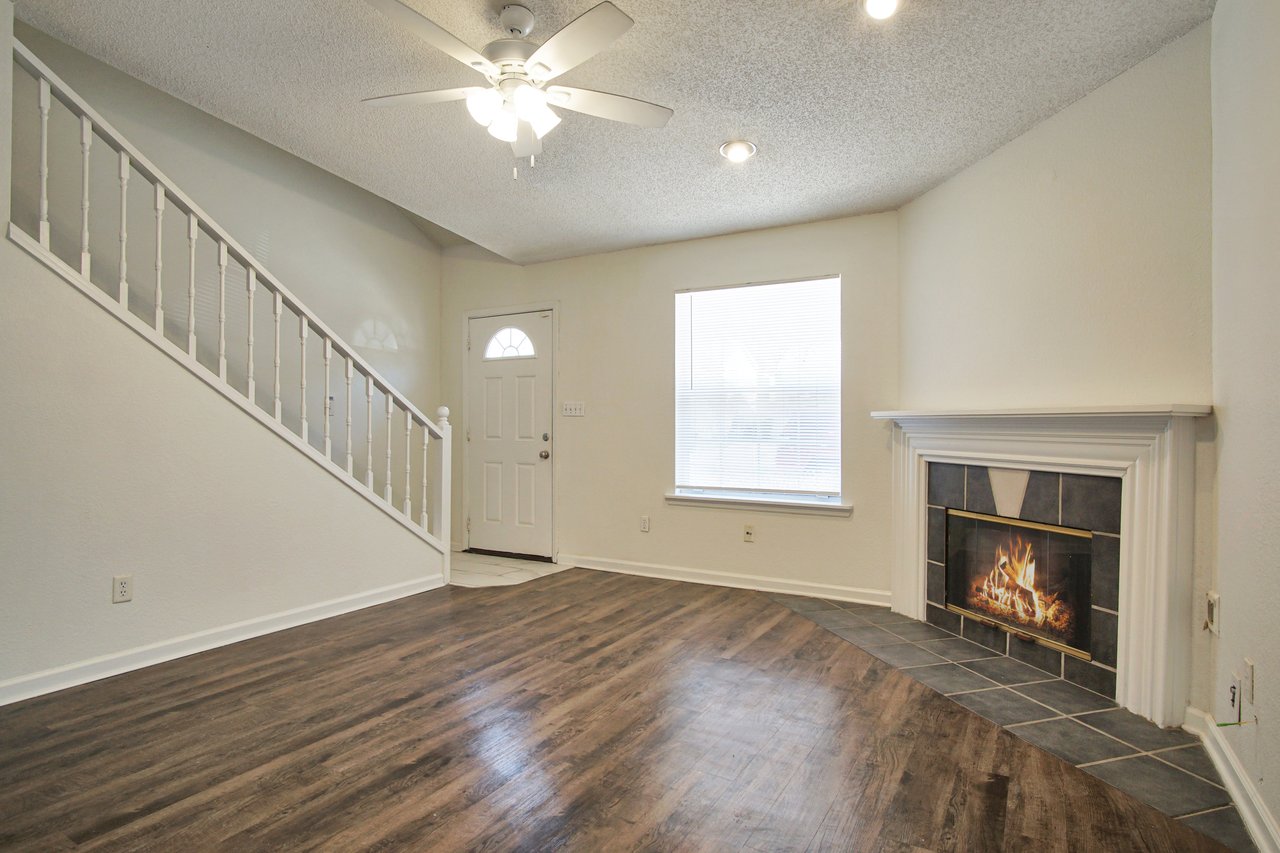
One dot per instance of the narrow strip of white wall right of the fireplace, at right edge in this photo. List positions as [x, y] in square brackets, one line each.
[1246, 359]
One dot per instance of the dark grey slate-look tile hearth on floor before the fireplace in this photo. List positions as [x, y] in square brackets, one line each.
[1164, 768]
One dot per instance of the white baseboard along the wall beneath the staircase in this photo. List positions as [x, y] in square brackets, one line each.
[26, 687]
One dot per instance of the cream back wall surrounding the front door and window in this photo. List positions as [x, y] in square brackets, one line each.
[618, 353]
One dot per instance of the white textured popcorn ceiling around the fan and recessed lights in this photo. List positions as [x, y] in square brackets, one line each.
[851, 116]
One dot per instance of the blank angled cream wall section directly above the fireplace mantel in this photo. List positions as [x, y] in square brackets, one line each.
[1072, 266]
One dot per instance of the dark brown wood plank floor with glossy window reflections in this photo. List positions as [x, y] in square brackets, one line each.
[584, 711]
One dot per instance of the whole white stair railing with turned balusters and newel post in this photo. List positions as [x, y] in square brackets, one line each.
[433, 521]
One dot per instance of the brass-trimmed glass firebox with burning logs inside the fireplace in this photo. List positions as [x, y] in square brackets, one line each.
[1030, 580]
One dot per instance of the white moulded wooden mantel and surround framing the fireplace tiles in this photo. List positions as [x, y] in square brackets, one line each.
[1151, 449]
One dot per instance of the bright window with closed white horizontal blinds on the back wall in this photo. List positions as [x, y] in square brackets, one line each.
[758, 394]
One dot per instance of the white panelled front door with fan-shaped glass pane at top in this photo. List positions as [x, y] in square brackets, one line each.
[509, 434]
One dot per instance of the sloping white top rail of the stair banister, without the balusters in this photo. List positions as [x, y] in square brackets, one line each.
[77, 106]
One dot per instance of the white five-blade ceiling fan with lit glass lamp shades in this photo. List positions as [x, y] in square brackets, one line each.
[516, 106]
